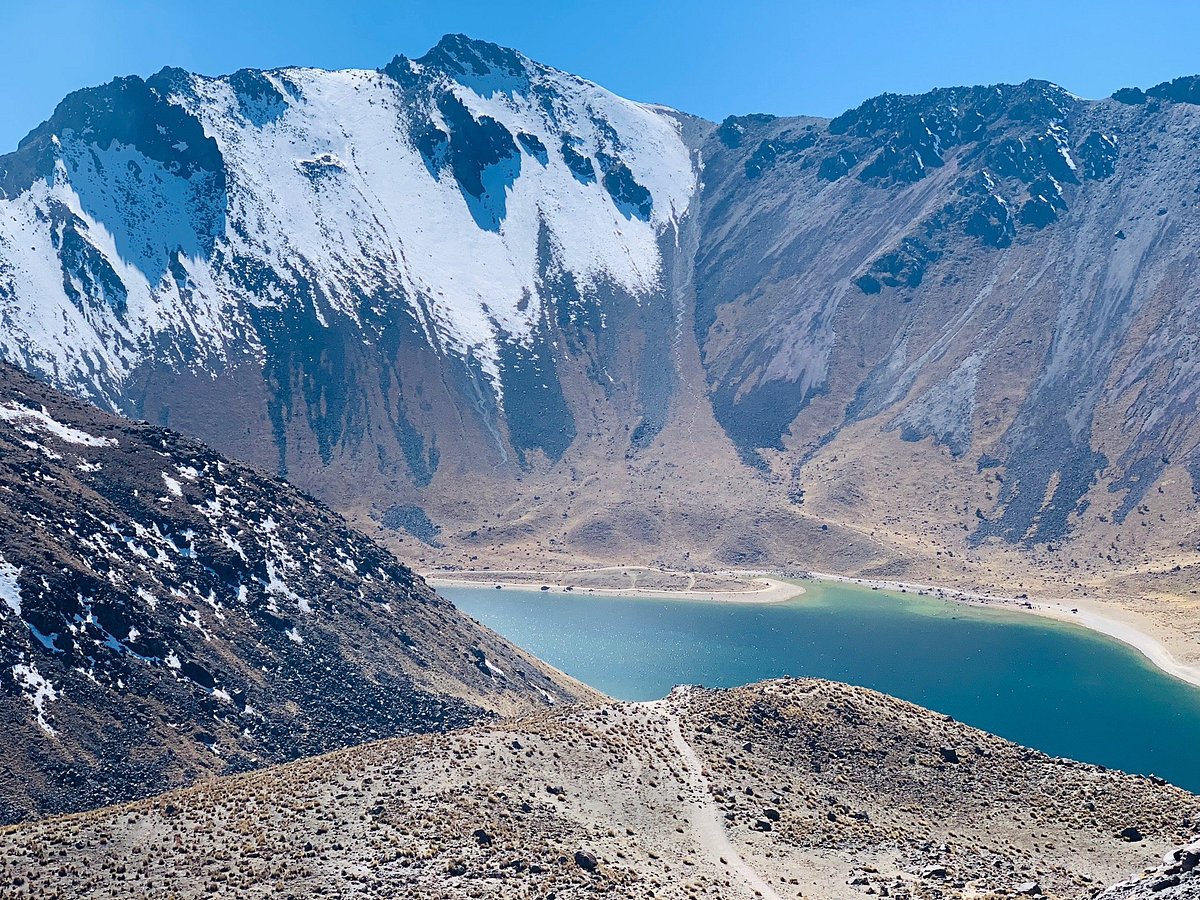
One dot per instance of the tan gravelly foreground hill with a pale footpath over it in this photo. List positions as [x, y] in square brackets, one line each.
[782, 790]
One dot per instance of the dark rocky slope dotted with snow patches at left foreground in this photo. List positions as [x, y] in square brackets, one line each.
[169, 615]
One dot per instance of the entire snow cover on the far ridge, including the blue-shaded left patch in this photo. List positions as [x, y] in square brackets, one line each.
[333, 194]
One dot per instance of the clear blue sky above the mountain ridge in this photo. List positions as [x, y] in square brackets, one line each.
[706, 57]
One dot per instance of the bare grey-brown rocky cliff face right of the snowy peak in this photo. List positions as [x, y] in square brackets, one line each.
[989, 269]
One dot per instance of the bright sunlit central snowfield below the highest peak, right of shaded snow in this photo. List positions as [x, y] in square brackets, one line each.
[376, 212]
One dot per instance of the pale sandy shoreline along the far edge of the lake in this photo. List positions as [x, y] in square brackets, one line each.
[1087, 614]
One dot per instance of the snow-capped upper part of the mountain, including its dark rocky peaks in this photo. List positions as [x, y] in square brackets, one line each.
[201, 224]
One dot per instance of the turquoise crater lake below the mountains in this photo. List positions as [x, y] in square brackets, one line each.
[1054, 687]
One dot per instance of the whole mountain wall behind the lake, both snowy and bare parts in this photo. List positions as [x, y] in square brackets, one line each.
[470, 285]
